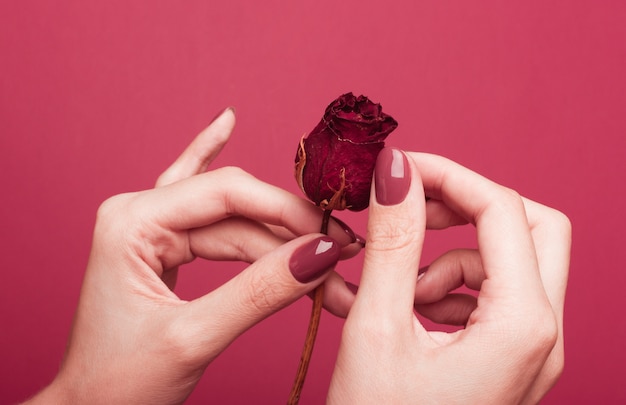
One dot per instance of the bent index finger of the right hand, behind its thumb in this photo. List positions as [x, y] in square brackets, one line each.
[504, 238]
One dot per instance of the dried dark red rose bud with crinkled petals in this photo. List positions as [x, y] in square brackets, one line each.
[335, 162]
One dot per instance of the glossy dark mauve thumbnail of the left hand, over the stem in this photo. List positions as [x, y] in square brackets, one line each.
[313, 259]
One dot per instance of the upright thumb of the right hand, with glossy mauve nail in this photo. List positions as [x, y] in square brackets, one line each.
[396, 228]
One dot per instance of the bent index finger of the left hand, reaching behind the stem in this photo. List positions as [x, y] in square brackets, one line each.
[203, 199]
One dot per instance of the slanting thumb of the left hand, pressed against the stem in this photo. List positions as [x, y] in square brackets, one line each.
[268, 285]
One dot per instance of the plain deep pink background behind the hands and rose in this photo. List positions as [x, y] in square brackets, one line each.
[98, 97]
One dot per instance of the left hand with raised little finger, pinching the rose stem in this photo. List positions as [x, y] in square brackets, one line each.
[133, 340]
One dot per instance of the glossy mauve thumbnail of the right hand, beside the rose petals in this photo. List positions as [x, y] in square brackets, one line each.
[392, 176]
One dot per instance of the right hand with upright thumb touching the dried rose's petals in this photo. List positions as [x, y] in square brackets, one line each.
[511, 349]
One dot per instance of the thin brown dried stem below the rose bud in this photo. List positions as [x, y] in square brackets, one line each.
[314, 322]
